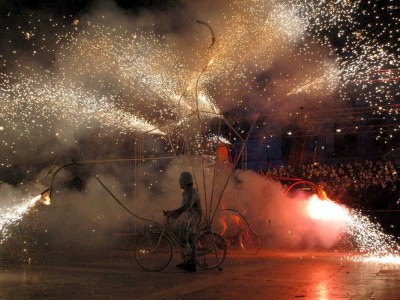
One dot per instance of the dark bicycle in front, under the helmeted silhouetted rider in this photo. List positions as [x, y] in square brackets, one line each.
[154, 250]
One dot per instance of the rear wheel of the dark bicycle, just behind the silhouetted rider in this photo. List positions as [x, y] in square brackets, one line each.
[211, 250]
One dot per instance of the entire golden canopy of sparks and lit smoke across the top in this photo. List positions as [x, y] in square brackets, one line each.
[134, 80]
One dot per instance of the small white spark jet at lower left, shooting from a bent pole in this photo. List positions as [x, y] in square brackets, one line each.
[12, 215]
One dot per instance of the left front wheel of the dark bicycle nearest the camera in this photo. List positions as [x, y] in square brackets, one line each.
[153, 252]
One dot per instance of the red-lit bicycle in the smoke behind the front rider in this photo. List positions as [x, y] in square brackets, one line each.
[249, 241]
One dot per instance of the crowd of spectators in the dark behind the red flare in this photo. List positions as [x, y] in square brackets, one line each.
[368, 185]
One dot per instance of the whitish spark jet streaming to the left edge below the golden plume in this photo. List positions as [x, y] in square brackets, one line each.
[27, 99]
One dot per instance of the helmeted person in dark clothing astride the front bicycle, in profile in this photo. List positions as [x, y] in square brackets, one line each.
[192, 206]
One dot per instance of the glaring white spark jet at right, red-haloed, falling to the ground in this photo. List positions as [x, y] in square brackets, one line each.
[370, 240]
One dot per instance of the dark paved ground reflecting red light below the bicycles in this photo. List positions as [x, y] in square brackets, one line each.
[269, 275]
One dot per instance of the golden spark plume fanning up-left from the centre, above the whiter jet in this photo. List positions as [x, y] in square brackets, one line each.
[144, 65]
